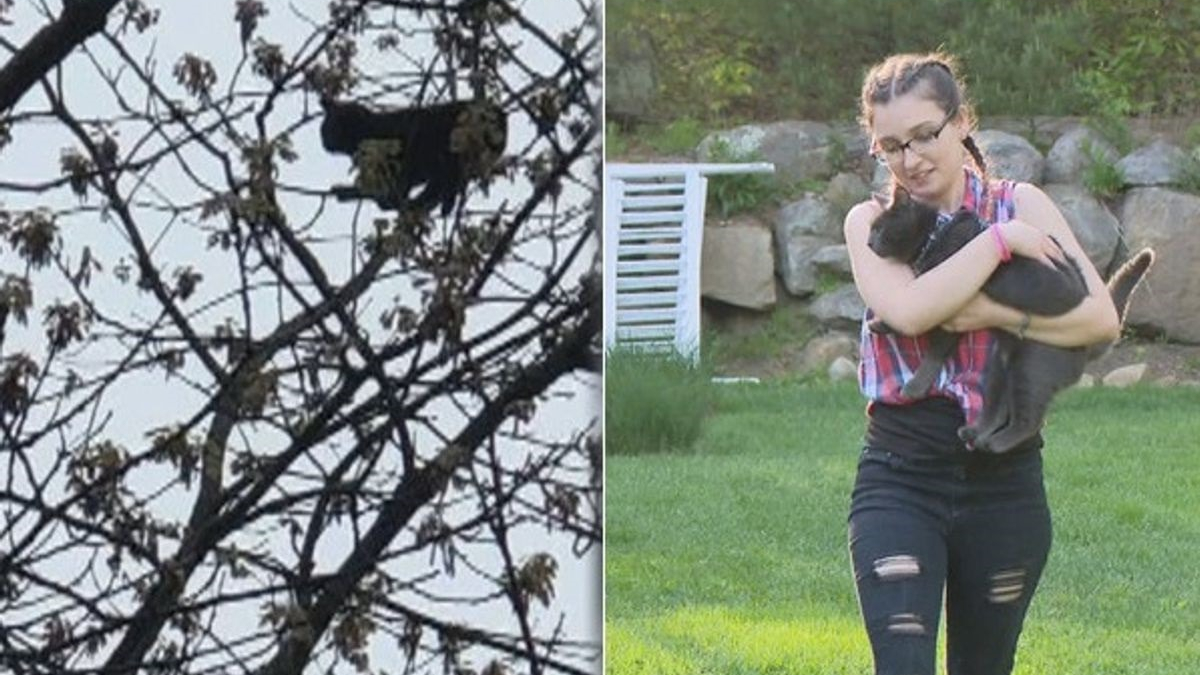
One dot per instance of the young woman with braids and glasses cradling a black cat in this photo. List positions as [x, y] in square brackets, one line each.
[928, 516]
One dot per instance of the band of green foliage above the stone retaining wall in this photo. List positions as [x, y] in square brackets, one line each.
[763, 59]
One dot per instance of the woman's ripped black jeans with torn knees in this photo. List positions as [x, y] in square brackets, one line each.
[977, 527]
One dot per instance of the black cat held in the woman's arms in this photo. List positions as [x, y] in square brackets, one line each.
[1022, 377]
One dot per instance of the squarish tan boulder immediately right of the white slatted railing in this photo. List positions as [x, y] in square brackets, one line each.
[737, 266]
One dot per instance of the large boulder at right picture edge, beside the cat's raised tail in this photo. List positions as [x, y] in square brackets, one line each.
[1169, 223]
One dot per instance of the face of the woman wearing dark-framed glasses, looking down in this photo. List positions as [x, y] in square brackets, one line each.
[925, 157]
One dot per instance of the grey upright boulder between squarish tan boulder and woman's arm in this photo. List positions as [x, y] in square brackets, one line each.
[802, 230]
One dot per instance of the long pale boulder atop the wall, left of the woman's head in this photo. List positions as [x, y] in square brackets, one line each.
[801, 151]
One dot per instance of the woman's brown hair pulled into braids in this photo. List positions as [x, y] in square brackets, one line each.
[934, 76]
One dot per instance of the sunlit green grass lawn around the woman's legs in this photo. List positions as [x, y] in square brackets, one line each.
[731, 558]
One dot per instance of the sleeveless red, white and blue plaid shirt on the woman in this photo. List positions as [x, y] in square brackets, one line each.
[890, 361]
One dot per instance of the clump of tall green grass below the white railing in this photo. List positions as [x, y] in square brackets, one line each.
[653, 403]
